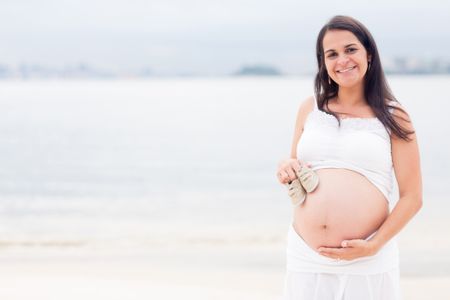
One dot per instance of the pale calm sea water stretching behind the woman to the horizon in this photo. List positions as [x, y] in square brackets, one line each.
[152, 162]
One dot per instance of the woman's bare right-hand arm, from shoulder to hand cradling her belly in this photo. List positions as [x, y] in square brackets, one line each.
[406, 161]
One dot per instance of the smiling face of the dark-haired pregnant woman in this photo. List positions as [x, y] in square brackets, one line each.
[346, 59]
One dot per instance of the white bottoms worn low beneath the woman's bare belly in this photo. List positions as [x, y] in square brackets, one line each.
[311, 276]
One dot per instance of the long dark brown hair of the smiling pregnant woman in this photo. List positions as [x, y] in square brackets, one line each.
[376, 89]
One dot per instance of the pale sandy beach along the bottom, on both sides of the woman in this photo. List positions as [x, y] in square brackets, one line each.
[206, 264]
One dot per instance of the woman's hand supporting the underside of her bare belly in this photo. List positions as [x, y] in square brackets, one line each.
[350, 249]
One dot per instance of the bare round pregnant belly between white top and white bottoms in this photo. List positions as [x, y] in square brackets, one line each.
[345, 205]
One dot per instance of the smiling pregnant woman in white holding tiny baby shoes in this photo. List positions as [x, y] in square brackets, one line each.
[355, 136]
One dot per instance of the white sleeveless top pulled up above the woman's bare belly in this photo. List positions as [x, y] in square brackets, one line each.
[362, 145]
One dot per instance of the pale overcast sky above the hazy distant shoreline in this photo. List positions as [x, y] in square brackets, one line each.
[208, 37]
